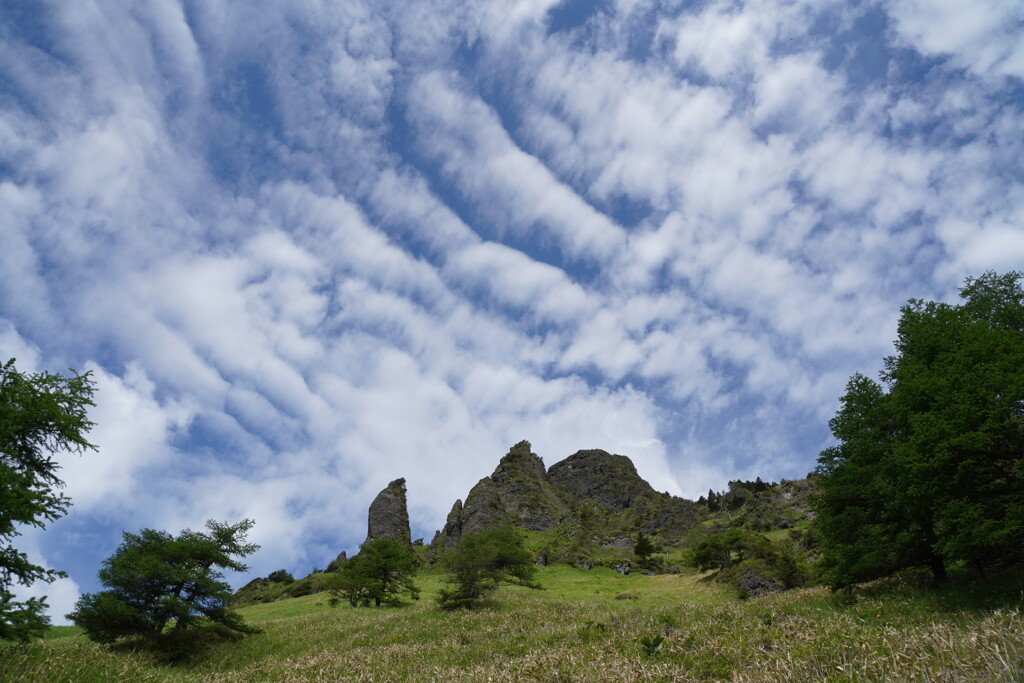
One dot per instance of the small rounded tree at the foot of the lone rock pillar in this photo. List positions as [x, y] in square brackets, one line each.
[383, 570]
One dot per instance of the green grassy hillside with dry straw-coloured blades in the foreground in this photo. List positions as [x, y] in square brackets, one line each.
[595, 626]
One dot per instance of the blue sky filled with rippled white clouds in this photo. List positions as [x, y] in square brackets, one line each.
[309, 247]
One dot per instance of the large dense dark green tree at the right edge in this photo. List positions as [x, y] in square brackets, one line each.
[928, 469]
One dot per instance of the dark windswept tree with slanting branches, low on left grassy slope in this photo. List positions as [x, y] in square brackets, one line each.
[155, 580]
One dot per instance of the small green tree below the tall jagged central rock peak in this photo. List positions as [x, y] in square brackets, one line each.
[482, 563]
